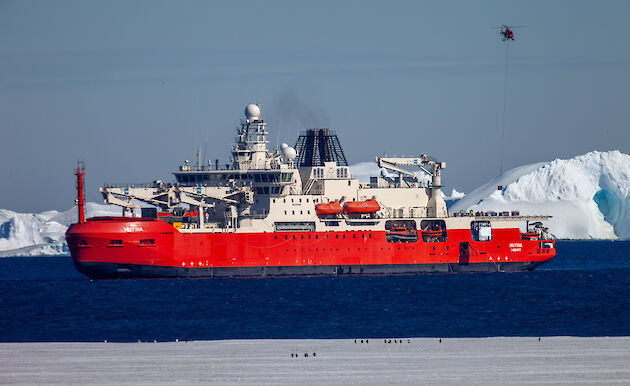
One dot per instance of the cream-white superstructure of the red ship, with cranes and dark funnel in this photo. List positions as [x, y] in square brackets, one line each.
[265, 191]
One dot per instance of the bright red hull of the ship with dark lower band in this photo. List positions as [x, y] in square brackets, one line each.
[127, 247]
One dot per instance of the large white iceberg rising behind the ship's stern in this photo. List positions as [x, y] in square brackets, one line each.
[588, 196]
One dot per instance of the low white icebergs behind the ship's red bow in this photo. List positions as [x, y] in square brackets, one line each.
[27, 234]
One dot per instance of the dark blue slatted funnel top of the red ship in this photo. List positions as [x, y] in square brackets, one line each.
[317, 146]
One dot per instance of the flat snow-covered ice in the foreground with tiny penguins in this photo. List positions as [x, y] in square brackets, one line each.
[497, 361]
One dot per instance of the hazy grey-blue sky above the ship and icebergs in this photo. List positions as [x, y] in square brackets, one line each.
[133, 87]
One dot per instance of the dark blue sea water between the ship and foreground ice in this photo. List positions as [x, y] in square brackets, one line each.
[584, 291]
